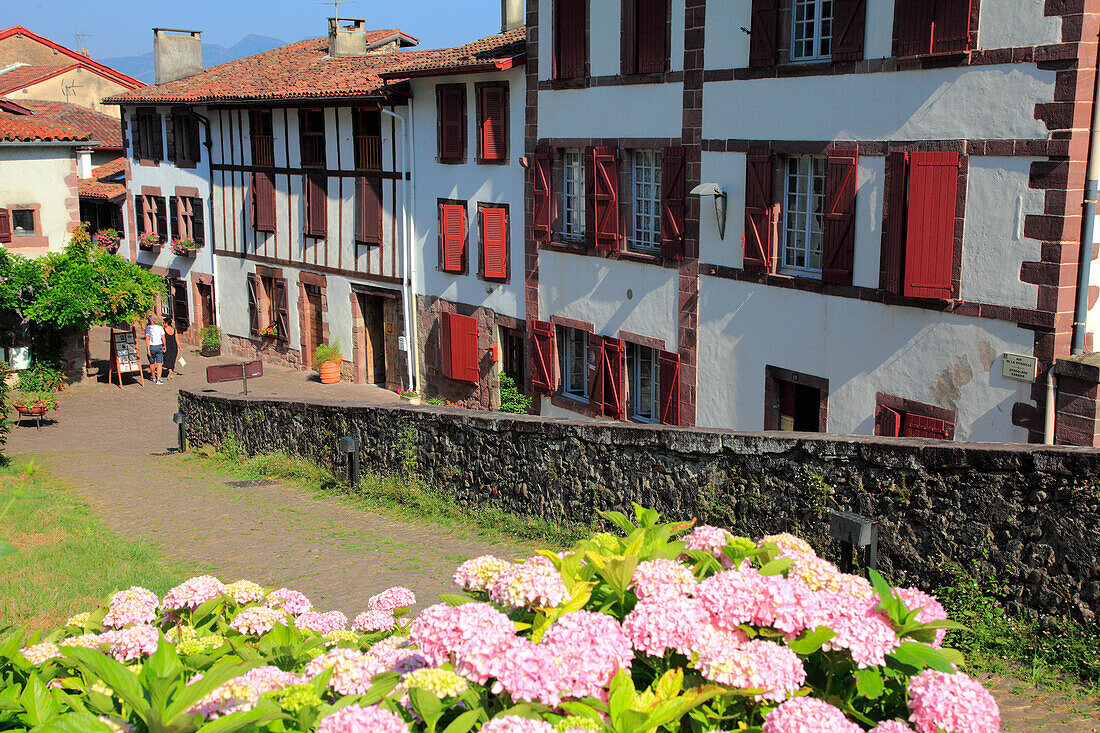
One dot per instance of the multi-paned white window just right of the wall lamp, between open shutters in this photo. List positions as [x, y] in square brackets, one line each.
[804, 215]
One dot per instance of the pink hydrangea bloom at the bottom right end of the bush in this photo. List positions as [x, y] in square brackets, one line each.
[952, 704]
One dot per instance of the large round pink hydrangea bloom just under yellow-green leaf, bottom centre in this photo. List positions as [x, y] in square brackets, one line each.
[589, 650]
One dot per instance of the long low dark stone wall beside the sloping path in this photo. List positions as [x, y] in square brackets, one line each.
[1027, 516]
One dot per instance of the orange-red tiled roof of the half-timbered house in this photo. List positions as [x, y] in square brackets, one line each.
[298, 71]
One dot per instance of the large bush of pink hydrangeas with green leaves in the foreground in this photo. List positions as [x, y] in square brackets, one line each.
[666, 628]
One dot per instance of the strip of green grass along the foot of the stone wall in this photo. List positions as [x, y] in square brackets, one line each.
[401, 498]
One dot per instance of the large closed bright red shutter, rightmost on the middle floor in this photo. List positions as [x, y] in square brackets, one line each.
[930, 232]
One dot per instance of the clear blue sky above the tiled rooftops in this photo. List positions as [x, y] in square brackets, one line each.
[124, 28]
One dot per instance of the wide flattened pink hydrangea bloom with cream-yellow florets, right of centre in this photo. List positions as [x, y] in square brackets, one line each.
[754, 665]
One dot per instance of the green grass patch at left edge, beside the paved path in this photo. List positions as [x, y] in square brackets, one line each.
[67, 561]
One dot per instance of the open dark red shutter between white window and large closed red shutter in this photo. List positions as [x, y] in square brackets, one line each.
[840, 242]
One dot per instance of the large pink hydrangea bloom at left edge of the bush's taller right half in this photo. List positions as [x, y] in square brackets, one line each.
[472, 633]
